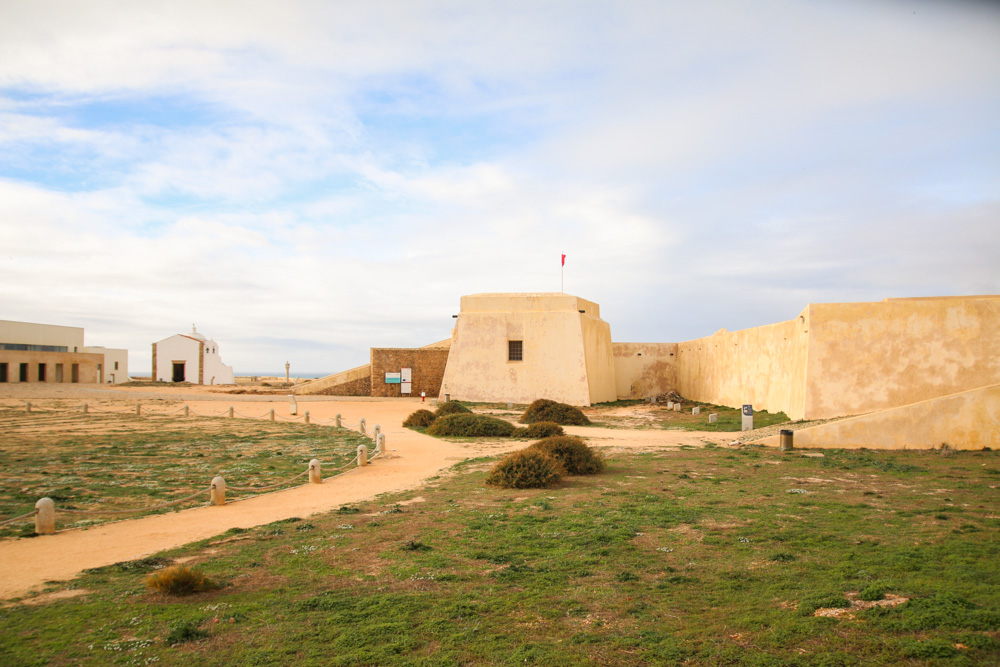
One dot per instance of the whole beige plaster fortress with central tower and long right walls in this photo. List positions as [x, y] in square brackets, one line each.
[832, 360]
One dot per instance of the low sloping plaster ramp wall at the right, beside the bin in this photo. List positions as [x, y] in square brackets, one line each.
[966, 420]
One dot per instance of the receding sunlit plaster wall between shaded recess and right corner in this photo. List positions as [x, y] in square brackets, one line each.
[764, 366]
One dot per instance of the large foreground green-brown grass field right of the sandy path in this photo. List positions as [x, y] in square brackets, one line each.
[695, 556]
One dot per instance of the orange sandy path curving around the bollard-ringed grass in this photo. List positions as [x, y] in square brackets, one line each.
[28, 563]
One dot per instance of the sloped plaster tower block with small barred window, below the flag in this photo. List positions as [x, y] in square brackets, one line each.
[555, 360]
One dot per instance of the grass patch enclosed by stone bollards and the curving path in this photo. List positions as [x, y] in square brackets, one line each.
[121, 461]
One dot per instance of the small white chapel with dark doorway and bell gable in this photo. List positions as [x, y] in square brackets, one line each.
[190, 358]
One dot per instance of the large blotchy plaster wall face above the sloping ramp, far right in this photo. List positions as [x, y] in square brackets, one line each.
[872, 356]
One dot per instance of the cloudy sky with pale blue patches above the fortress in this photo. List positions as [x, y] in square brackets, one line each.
[306, 180]
